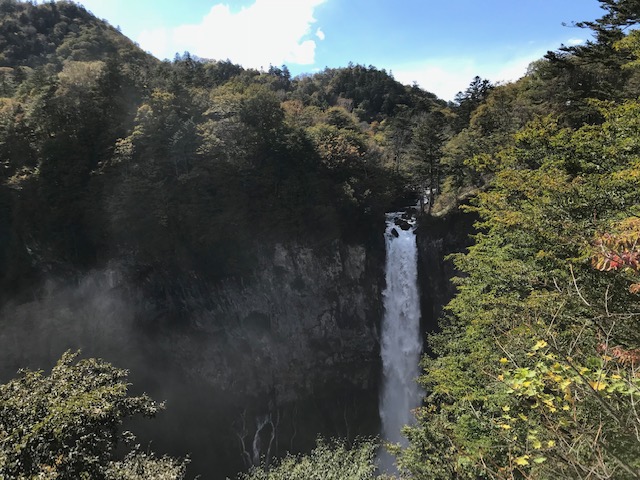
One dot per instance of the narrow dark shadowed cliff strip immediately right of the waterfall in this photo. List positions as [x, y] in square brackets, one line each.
[437, 238]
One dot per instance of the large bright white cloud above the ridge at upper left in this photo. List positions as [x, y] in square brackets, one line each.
[267, 32]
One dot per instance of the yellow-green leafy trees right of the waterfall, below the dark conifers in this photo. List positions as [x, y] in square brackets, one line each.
[529, 379]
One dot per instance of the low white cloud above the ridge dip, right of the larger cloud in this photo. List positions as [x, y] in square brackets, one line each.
[447, 76]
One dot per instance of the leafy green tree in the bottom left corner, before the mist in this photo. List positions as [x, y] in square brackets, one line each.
[67, 425]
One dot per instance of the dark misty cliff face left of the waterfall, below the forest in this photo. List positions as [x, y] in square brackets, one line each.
[252, 369]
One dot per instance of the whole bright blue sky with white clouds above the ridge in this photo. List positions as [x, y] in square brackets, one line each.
[440, 44]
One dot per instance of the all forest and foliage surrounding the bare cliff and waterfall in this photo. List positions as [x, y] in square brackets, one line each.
[189, 168]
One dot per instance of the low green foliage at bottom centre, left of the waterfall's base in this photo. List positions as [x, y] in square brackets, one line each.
[328, 461]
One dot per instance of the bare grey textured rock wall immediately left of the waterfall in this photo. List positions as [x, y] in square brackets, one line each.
[306, 319]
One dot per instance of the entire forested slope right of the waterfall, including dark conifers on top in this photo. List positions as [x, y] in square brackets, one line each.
[535, 373]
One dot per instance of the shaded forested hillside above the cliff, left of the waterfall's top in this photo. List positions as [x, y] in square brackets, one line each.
[109, 154]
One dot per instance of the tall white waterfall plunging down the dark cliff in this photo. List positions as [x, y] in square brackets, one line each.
[400, 339]
